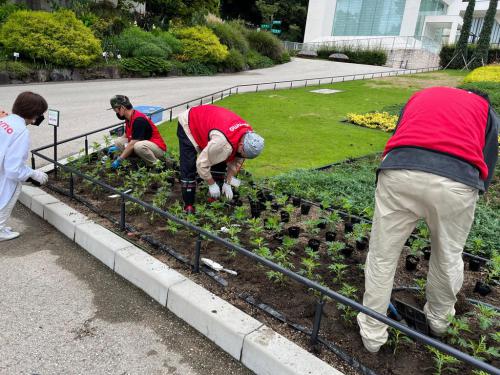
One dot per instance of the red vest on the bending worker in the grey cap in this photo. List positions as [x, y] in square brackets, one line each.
[205, 118]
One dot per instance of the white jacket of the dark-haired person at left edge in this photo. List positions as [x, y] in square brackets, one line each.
[14, 151]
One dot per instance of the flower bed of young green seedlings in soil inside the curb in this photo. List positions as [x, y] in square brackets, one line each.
[318, 243]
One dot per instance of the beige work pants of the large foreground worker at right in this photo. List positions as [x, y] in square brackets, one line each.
[401, 199]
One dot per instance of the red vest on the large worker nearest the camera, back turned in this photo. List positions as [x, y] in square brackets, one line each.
[446, 120]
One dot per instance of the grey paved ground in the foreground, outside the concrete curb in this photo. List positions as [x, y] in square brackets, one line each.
[63, 312]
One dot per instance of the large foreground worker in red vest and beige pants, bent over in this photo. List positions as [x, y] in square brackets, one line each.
[442, 155]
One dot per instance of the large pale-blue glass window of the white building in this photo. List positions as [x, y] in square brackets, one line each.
[368, 17]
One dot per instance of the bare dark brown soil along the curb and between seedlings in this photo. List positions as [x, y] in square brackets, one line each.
[291, 299]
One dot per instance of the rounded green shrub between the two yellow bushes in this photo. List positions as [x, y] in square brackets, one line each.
[135, 42]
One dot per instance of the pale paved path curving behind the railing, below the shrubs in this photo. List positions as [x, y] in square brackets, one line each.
[83, 104]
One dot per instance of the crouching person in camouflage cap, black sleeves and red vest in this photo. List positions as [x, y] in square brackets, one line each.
[141, 137]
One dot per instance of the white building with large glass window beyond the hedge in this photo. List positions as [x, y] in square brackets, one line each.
[415, 23]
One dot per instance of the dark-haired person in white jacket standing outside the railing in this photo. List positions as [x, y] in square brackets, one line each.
[28, 109]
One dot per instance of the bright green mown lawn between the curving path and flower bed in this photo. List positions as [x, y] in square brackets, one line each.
[304, 129]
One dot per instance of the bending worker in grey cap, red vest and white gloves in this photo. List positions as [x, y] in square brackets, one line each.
[223, 141]
